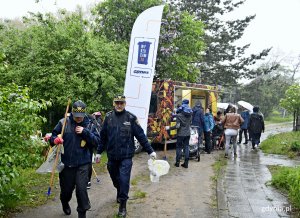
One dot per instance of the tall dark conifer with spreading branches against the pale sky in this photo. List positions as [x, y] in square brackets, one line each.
[223, 62]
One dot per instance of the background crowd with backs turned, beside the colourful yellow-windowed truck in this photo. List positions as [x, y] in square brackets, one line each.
[233, 124]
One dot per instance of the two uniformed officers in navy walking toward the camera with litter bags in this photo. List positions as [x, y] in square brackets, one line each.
[81, 136]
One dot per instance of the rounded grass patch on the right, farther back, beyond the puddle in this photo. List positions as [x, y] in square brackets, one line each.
[284, 143]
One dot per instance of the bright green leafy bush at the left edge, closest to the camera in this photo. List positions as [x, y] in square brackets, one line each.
[19, 120]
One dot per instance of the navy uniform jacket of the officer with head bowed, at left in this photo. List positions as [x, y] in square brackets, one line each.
[75, 155]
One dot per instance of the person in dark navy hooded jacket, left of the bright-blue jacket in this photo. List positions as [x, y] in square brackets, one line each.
[198, 120]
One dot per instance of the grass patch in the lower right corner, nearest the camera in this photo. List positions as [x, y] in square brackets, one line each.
[287, 180]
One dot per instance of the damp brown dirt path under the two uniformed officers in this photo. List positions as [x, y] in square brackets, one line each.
[180, 193]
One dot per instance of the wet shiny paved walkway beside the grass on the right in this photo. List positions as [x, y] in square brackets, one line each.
[243, 190]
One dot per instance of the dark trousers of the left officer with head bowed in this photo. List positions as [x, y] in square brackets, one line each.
[70, 178]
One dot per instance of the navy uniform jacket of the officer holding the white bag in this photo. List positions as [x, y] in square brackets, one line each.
[117, 135]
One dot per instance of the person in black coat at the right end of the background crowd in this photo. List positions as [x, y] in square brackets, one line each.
[256, 126]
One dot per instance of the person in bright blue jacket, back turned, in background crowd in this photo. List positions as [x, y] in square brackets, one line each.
[209, 124]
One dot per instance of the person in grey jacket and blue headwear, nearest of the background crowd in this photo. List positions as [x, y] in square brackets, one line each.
[183, 124]
